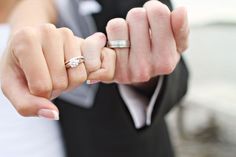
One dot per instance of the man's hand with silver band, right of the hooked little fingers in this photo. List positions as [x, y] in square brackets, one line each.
[157, 36]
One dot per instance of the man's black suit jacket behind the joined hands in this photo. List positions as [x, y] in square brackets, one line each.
[107, 129]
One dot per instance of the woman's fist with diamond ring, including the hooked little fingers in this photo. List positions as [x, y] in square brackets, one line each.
[33, 67]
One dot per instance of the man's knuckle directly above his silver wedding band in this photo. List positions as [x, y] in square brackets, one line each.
[116, 25]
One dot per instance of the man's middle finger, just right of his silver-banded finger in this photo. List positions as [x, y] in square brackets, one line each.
[140, 40]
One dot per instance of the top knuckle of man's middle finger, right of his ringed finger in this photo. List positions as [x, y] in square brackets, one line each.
[136, 14]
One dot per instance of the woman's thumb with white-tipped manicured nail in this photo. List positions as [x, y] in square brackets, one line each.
[14, 87]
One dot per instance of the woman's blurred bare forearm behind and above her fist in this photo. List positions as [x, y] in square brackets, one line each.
[32, 13]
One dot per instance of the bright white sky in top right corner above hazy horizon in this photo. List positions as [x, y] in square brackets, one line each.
[209, 11]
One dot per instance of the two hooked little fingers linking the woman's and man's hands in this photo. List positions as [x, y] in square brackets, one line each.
[99, 61]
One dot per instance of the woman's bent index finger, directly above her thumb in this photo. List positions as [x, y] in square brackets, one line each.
[27, 50]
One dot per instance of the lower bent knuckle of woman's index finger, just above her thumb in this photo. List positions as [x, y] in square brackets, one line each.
[41, 88]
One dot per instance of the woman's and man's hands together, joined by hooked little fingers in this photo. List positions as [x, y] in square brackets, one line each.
[33, 67]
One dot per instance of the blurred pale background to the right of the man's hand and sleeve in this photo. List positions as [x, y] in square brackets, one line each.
[204, 125]
